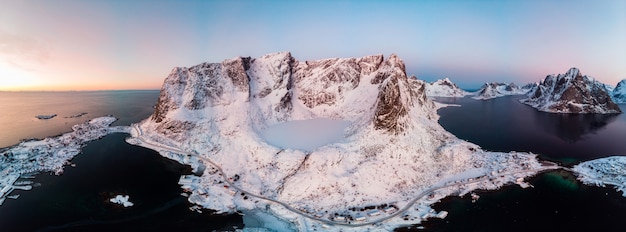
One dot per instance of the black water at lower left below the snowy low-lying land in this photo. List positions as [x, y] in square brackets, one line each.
[78, 199]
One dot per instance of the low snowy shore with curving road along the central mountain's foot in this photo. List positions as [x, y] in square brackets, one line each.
[215, 190]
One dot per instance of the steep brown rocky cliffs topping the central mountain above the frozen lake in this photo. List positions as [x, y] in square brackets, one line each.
[322, 88]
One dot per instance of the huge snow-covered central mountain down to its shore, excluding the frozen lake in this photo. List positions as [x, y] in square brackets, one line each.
[393, 161]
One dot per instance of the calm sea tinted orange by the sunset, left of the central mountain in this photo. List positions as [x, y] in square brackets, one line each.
[18, 111]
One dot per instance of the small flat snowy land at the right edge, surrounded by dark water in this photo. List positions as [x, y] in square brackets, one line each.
[604, 171]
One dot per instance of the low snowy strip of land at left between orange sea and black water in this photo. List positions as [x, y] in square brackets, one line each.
[50, 154]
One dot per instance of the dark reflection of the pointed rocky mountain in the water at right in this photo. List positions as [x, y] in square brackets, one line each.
[572, 128]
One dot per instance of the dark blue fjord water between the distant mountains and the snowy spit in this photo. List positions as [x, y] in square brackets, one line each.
[504, 124]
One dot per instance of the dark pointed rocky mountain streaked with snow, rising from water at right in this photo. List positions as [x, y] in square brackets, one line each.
[571, 93]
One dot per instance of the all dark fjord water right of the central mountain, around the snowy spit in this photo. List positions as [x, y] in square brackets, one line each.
[557, 202]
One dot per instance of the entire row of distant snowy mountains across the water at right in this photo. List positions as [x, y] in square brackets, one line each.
[564, 93]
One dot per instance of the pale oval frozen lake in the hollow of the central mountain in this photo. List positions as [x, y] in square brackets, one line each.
[305, 134]
